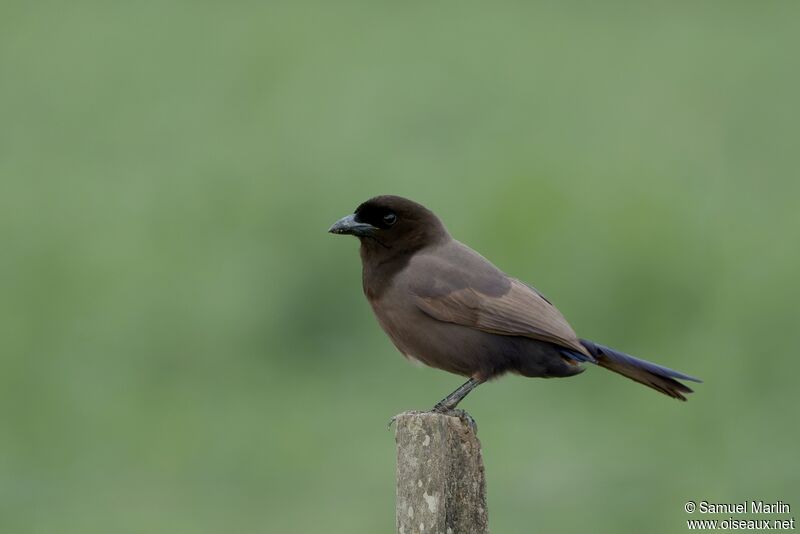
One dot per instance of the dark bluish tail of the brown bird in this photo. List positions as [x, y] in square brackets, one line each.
[651, 375]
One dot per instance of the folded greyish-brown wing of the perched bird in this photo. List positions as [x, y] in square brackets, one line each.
[488, 300]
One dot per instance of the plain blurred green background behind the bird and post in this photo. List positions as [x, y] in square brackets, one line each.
[185, 349]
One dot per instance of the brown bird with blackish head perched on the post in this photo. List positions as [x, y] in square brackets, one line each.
[443, 304]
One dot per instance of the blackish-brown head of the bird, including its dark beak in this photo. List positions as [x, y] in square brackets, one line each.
[392, 223]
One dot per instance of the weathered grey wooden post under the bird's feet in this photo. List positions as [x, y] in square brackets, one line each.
[441, 485]
